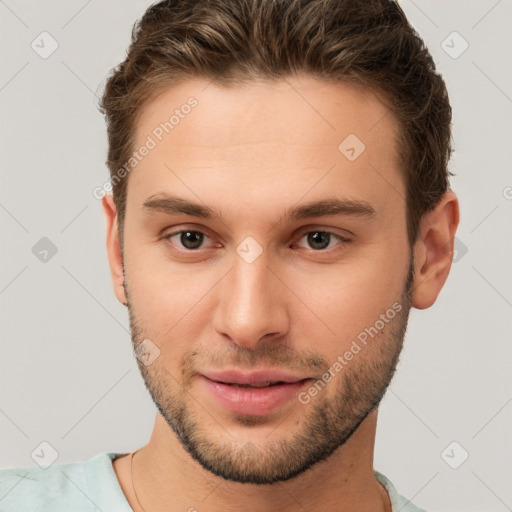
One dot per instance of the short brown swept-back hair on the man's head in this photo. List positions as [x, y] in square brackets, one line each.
[366, 42]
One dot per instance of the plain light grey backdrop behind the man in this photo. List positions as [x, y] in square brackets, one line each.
[67, 373]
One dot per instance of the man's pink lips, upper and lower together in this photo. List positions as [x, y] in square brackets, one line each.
[253, 401]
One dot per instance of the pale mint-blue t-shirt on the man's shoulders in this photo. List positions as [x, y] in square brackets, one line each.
[92, 485]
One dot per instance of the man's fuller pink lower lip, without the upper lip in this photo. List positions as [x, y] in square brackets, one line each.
[253, 401]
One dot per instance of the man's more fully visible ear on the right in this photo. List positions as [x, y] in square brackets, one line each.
[433, 251]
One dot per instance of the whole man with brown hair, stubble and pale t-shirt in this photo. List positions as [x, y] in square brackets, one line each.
[280, 202]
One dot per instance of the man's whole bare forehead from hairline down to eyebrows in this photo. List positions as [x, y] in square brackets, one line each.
[287, 134]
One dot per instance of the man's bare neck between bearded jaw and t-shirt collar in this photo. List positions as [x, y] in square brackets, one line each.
[167, 478]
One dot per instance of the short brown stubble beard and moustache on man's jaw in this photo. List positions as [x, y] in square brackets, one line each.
[328, 424]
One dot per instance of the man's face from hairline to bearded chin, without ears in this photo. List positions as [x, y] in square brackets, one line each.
[267, 269]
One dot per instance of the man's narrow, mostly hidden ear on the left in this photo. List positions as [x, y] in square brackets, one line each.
[115, 259]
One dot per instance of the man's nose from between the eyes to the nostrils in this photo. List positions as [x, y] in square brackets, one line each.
[252, 303]
